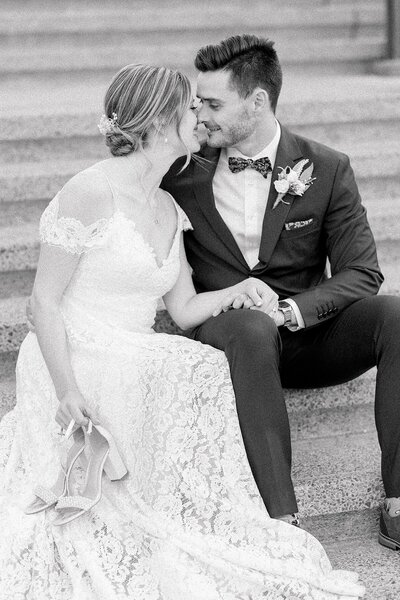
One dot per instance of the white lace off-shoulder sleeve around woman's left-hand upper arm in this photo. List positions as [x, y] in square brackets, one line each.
[70, 233]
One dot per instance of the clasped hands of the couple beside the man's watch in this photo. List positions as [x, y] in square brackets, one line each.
[254, 294]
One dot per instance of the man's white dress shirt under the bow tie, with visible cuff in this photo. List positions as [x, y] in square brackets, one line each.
[241, 200]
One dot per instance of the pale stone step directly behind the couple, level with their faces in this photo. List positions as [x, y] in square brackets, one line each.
[40, 106]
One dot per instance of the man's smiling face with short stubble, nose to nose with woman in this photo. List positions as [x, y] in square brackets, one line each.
[229, 119]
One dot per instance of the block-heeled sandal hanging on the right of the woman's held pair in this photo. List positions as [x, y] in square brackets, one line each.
[103, 456]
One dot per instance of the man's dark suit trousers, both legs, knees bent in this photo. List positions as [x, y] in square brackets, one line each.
[263, 360]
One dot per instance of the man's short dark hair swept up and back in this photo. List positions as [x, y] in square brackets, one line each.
[252, 62]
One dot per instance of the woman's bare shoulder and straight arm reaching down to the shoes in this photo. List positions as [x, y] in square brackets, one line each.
[80, 202]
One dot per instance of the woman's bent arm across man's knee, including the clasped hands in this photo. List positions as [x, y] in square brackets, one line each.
[189, 309]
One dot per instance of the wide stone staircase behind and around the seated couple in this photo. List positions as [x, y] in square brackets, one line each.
[57, 61]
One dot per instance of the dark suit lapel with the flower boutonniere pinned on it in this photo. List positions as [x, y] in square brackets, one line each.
[287, 155]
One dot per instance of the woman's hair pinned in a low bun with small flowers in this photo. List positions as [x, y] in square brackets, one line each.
[141, 98]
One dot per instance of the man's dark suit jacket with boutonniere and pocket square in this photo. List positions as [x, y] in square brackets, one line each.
[292, 260]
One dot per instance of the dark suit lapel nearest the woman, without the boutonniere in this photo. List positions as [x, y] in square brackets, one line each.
[203, 174]
